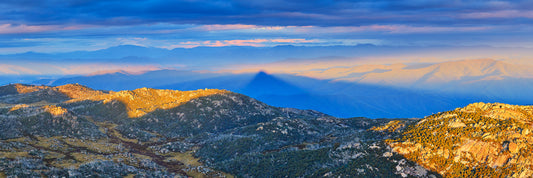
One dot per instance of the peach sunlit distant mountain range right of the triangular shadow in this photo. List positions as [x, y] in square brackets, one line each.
[498, 80]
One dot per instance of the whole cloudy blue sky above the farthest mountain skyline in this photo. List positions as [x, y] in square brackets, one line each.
[53, 26]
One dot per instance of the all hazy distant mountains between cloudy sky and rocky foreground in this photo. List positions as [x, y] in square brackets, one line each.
[369, 90]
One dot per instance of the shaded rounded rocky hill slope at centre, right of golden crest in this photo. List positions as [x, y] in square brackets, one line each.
[210, 114]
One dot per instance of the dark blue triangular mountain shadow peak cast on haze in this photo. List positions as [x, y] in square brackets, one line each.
[265, 84]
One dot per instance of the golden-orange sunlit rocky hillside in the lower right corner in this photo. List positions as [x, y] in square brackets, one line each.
[479, 139]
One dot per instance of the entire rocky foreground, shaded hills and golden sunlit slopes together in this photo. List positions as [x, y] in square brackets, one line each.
[72, 130]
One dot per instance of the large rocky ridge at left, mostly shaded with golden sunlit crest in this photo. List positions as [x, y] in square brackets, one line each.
[78, 135]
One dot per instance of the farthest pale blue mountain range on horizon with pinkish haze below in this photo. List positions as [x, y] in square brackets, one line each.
[232, 57]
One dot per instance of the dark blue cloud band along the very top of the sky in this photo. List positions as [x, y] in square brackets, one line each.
[261, 13]
